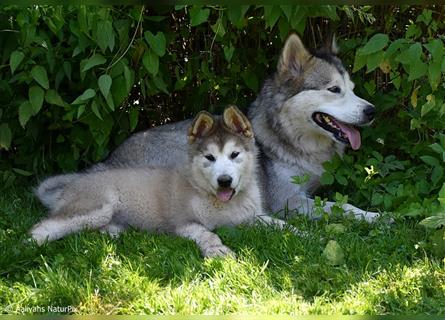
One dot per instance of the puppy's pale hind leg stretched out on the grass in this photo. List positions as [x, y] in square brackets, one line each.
[59, 226]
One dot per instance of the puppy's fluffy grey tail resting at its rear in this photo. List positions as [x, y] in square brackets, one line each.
[50, 191]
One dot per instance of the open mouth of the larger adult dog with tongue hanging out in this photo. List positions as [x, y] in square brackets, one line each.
[343, 132]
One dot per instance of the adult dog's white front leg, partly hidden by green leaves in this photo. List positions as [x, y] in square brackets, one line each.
[305, 205]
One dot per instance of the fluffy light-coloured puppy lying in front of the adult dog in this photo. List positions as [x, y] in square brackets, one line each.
[217, 187]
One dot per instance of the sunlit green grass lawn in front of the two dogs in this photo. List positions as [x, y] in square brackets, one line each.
[387, 269]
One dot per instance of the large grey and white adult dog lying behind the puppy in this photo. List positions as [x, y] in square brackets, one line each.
[304, 114]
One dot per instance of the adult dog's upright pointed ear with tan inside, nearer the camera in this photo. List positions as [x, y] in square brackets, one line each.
[294, 56]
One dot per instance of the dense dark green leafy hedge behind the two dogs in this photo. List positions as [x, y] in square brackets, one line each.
[77, 80]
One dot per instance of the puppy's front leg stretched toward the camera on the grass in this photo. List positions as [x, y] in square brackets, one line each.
[209, 243]
